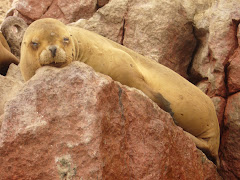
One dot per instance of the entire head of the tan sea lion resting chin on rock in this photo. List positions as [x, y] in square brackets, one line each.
[46, 42]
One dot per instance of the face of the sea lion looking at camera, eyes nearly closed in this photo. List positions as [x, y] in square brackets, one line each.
[49, 44]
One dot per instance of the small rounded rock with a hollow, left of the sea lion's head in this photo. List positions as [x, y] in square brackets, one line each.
[13, 29]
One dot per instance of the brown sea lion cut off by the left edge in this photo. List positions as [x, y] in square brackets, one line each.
[6, 57]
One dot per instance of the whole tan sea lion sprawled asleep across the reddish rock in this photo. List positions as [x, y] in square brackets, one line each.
[48, 42]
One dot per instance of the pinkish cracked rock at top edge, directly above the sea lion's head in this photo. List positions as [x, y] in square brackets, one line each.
[66, 11]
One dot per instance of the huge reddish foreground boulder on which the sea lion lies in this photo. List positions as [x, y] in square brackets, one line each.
[74, 123]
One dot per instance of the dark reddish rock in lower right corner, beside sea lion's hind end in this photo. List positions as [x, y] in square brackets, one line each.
[230, 150]
